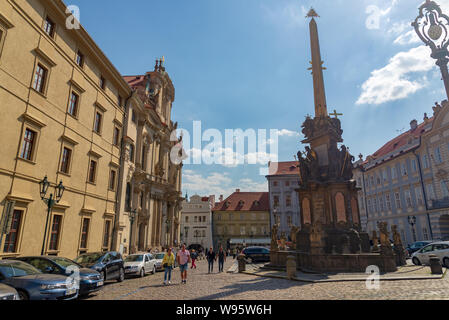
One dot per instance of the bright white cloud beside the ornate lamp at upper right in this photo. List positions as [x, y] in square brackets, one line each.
[393, 82]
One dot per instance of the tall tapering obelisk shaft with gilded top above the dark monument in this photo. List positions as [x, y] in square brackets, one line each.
[317, 68]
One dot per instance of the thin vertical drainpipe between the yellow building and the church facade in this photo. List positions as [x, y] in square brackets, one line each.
[120, 177]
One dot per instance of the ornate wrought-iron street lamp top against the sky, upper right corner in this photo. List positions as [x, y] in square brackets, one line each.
[432, 28]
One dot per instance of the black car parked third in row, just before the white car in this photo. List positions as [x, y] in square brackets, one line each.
[109, 264]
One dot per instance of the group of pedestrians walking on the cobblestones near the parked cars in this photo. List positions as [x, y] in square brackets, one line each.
[184, 257]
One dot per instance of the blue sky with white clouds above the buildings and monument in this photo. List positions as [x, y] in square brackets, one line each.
[243, 64]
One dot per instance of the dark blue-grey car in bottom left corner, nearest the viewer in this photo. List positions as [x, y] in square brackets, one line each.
[32, 284]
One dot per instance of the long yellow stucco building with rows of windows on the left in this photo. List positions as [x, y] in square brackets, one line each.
[61, 115]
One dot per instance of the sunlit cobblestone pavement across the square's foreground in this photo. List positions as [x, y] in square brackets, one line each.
[203, 286]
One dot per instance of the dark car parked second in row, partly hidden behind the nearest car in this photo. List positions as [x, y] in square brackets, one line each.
[89, 280]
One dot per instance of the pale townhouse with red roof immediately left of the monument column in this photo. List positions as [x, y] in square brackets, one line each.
[283, 179]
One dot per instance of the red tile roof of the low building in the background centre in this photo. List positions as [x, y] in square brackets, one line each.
[251, 201]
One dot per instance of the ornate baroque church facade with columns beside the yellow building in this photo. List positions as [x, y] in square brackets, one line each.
[150, 198]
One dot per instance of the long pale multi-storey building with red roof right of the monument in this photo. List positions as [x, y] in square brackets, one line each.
[405, 182]
